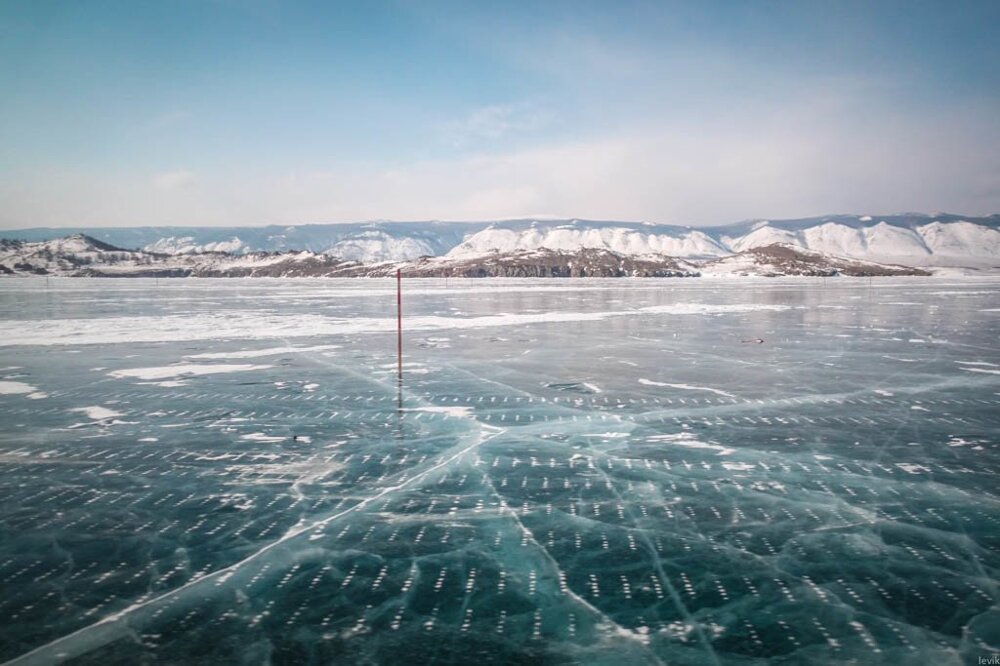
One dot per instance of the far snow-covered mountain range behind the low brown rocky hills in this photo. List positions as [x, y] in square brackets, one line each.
[913, 239]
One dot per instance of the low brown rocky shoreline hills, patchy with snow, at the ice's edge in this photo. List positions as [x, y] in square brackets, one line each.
[79, 255]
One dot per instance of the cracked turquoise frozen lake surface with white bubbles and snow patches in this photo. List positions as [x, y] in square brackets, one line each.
[579, 471]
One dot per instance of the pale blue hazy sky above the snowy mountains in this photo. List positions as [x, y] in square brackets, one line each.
[255, 112]
